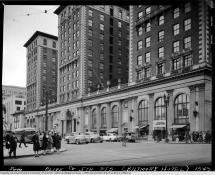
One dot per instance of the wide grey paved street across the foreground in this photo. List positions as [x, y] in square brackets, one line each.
[113, 154]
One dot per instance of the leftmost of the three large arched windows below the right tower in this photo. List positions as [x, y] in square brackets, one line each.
[143, 112]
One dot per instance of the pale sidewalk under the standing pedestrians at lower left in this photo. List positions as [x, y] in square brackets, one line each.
[26, 151]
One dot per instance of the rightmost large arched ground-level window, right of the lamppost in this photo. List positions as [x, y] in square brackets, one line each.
[181, 108]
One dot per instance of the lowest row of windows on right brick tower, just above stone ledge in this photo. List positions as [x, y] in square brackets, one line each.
[176, 64]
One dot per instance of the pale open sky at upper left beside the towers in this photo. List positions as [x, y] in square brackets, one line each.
[20, 23]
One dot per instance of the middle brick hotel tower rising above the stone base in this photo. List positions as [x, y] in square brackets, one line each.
[93, 49]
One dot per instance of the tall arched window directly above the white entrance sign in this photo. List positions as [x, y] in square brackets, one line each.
[160, 111]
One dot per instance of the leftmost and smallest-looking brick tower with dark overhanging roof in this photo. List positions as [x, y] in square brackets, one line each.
[42, 58]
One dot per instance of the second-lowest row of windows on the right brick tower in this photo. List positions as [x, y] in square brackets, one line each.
[175, 48]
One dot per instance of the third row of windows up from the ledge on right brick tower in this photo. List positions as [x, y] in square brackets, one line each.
[175, 29]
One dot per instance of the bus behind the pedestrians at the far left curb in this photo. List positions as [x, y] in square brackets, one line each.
[29, 132]
